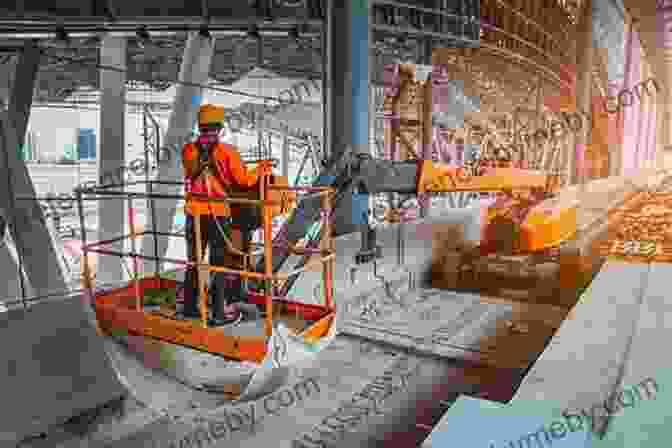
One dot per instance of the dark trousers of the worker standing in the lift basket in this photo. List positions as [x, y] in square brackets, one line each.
[224, 289]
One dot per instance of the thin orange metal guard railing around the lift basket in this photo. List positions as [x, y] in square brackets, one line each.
[325, 255]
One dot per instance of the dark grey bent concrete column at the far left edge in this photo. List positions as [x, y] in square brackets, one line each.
[37, 250]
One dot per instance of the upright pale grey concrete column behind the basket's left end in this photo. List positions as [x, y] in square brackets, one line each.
[112, 157]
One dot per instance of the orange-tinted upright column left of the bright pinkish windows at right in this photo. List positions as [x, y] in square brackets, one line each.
[583, 88]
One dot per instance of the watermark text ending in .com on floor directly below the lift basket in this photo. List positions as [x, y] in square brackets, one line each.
[211, 430]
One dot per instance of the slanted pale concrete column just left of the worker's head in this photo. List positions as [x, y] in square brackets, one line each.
[194, 69]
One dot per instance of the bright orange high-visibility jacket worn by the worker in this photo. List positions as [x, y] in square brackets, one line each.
[227, 169]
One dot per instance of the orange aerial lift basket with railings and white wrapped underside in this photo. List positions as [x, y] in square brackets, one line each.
[301, 329]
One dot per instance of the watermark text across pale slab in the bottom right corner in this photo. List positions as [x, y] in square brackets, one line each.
[558, 430]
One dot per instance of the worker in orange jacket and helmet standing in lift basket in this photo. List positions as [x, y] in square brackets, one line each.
[214, 168]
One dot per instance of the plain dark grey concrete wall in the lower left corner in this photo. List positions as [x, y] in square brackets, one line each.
[54, 366]
